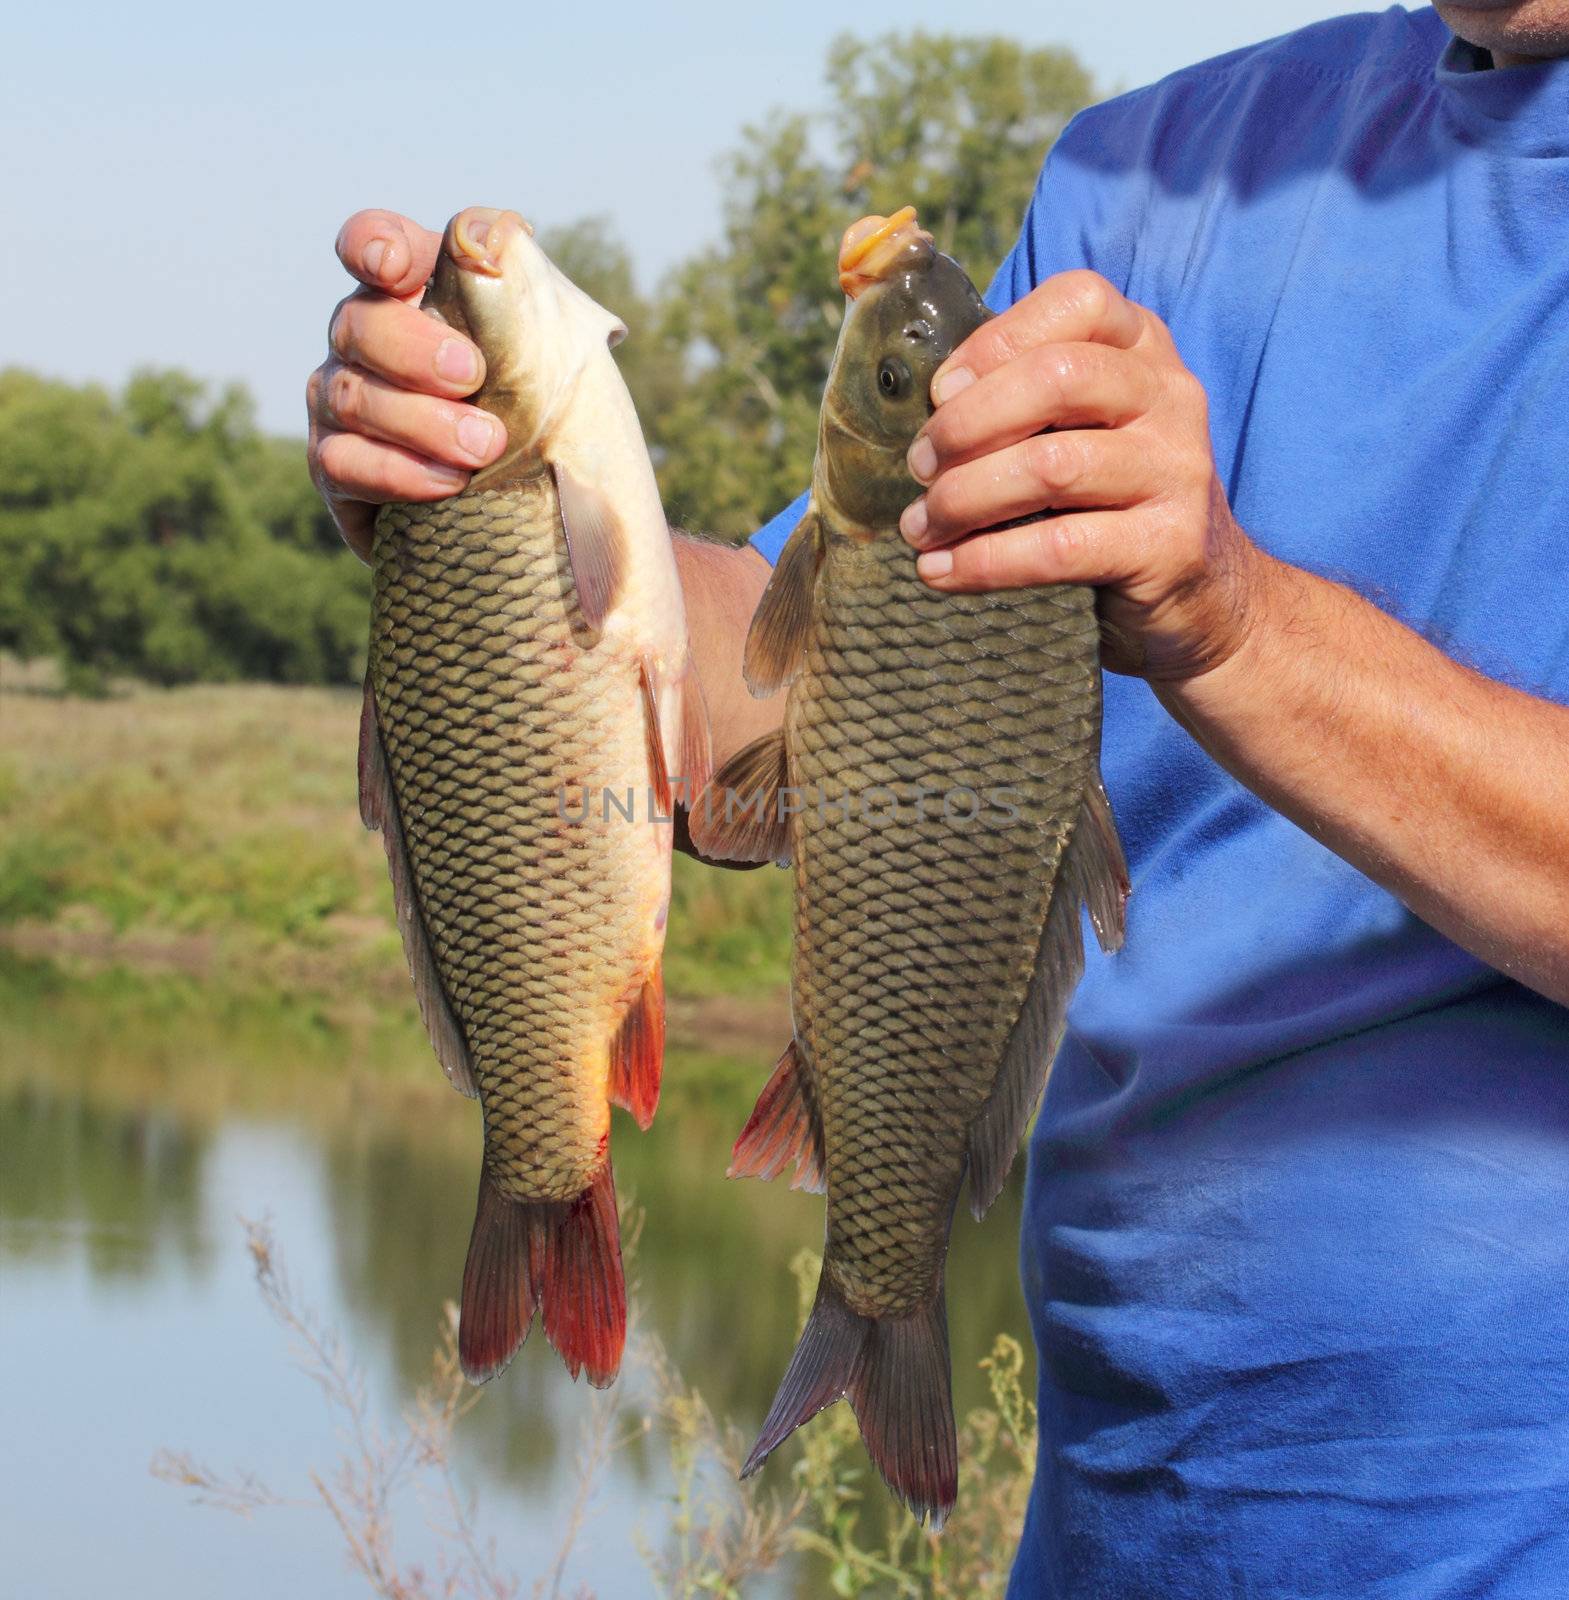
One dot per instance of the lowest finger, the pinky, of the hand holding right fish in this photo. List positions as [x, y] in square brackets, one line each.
[1087, 548]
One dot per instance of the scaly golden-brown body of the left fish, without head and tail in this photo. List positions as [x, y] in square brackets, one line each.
[535, 922]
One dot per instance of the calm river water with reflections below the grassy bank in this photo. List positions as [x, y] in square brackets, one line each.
[140, 1124]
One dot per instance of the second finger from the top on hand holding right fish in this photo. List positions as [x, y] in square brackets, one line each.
[1050, 386]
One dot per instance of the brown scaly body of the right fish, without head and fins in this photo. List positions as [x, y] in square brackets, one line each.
[917, 940]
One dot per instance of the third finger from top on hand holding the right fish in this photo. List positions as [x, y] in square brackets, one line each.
[1095, 468]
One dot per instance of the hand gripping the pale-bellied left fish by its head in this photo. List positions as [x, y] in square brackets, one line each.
[385, 407]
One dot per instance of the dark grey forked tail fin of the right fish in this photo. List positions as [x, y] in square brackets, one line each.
[895, 1375]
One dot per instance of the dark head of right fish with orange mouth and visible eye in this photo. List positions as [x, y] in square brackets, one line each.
[909, 310]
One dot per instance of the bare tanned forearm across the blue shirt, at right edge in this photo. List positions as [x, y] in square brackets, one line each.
[1439, 783]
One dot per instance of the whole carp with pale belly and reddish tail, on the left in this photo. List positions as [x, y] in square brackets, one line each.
[530, 711]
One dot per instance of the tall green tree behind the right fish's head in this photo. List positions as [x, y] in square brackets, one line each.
[957, 127]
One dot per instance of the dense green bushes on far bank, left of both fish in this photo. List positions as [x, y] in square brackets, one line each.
[161, 535]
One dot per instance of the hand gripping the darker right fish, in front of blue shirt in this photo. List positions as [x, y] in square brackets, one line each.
[1076, 404]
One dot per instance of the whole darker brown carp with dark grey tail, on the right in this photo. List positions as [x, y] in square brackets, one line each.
[938, 788]
